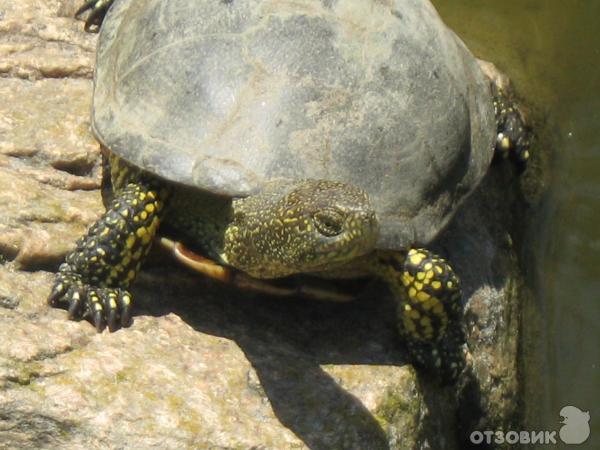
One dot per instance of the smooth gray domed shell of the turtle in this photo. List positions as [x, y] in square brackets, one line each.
[226, 95]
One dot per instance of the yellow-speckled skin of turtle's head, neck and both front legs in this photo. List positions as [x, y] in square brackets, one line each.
[308, 226]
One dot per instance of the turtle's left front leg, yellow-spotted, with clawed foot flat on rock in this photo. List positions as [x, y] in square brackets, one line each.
[93, 281]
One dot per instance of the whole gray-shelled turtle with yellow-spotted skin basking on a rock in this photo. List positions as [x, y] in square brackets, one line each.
[334, 139]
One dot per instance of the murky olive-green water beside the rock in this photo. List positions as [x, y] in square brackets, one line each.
[551, 50]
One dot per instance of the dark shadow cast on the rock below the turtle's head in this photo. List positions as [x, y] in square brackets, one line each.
[287, 341]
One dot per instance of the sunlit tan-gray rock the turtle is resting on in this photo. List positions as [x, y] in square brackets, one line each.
[205, 366]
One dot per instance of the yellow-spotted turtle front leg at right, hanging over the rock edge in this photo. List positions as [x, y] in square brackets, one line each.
[429, 308]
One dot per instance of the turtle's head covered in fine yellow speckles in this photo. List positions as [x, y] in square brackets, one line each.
[299, 227]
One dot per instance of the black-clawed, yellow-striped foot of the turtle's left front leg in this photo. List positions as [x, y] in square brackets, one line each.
[101, 306]
